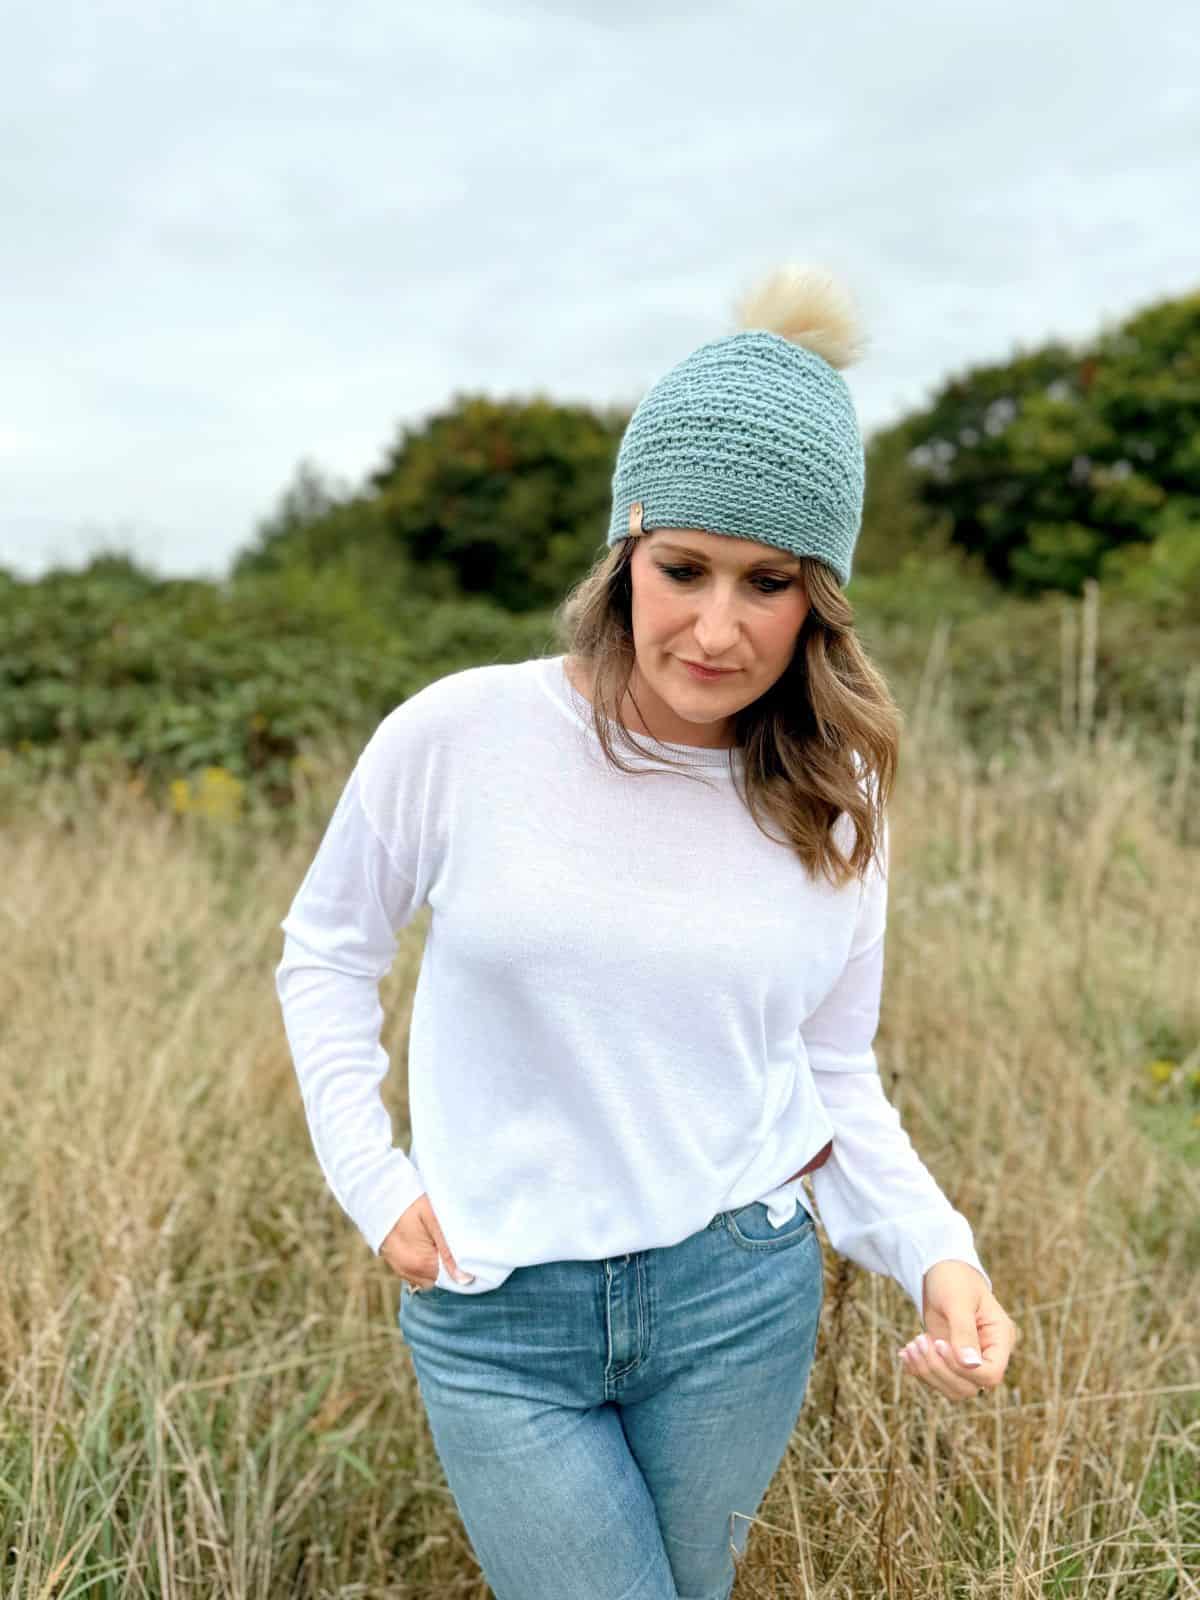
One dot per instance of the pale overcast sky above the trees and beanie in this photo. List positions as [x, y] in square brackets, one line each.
[244, 234]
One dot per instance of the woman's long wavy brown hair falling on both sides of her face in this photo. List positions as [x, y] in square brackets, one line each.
[820, 745]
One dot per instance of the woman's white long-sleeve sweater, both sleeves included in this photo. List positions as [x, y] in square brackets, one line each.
[634, 1010]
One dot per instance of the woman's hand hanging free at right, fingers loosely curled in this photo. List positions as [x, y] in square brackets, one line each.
[962, 1318]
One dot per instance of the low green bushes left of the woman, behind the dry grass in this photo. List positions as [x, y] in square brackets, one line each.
[178, 676]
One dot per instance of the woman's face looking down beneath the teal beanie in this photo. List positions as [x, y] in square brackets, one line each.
[721, 602]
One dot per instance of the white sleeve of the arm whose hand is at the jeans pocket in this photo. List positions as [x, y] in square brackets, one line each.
[340, 942]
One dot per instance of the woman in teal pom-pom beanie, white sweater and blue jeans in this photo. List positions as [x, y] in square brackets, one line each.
[647, 1001]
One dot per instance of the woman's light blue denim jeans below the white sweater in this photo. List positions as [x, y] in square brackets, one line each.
[607, 1426]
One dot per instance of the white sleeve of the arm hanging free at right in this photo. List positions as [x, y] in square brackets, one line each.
[876, 1199]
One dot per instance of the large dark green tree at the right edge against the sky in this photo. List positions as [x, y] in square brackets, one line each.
[1047, 465]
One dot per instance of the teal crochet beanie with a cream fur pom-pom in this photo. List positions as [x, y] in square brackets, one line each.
[754, 434]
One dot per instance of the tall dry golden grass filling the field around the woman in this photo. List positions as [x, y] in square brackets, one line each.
[204, 1385]
